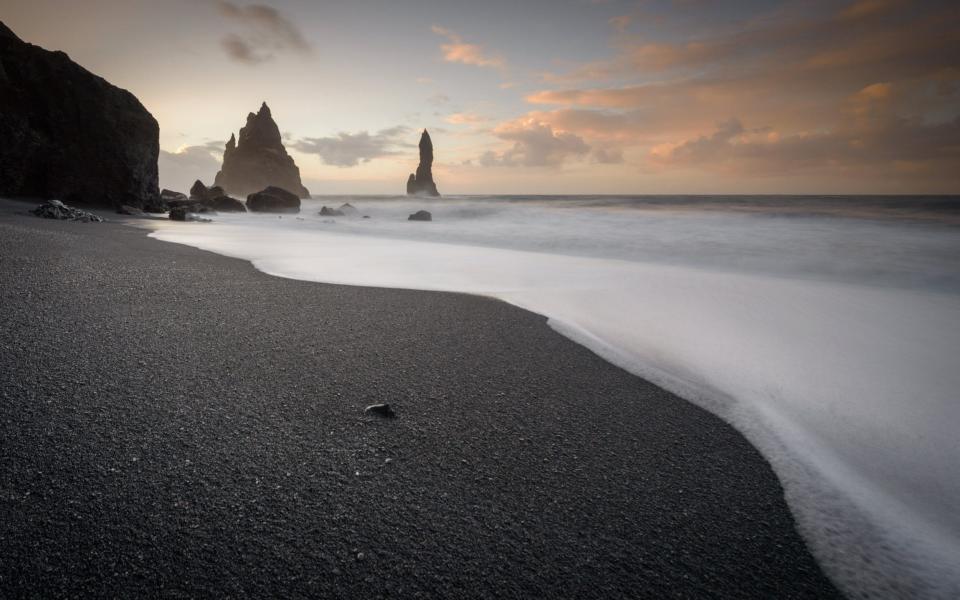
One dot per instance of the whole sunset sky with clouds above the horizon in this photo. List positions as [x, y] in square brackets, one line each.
[541, 97]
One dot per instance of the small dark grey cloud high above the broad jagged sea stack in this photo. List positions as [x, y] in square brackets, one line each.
[266, 32]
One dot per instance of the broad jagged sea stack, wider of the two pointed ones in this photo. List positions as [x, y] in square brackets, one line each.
[258, 159]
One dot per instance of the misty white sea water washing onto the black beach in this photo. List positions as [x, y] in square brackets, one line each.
[825, 328]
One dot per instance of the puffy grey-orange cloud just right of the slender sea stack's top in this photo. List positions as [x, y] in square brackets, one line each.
[535, 144]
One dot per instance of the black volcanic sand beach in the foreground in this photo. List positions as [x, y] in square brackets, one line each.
[177, 423]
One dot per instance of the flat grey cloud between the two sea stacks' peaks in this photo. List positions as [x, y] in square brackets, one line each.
[351, 149]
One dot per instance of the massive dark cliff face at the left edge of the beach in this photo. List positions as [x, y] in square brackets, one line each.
[67, 134]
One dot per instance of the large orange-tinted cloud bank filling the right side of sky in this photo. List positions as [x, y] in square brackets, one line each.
[873, 87]
